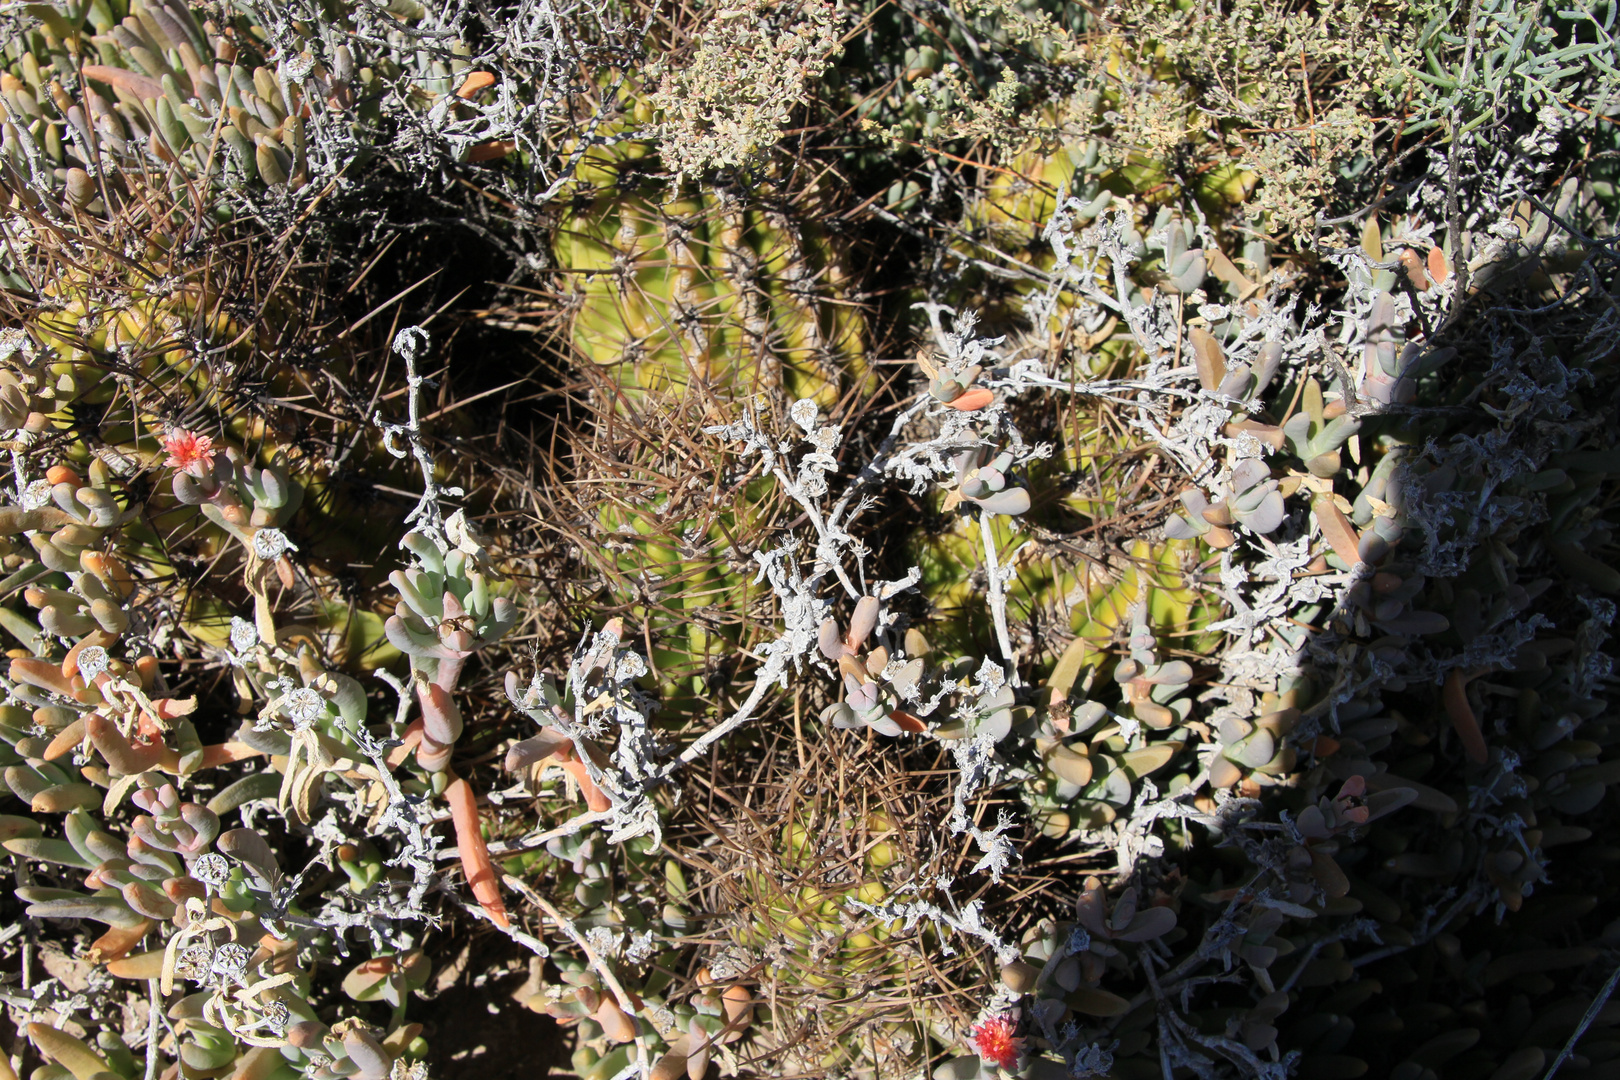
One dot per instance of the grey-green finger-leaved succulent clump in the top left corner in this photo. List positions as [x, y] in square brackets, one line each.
[116, 88]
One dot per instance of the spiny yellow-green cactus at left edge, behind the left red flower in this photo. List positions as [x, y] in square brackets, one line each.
[143, 328]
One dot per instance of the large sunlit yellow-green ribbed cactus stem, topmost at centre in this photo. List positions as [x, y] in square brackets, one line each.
[696, 287]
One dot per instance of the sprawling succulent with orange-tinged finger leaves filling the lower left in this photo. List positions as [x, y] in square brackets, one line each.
[93, 731]
